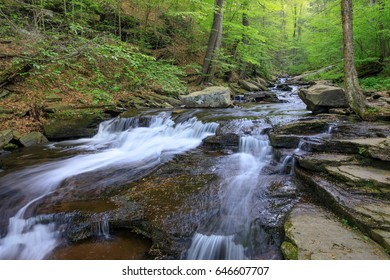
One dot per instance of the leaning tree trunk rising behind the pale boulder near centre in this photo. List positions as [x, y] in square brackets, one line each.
[214, 43]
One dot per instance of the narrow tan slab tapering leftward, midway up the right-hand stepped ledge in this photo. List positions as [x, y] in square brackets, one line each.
[362, 175]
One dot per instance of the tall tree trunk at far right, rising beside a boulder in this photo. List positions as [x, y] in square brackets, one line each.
[353, 92]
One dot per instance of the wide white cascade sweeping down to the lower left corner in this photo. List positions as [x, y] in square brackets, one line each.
[119, 143]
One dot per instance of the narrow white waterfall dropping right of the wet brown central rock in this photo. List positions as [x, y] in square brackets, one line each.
[225, 237]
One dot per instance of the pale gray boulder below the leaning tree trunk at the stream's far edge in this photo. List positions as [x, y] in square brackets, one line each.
[211, 97]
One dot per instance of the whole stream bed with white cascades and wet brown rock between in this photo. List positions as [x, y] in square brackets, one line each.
[189, 184]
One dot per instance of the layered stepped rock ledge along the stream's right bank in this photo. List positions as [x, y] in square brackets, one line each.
[342, 164]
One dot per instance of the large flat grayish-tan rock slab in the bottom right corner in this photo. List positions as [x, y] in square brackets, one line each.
[316, 234]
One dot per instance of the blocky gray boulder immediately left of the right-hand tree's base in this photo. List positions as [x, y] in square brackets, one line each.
[321, 97]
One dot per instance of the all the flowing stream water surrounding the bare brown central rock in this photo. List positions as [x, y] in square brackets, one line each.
[127, 149]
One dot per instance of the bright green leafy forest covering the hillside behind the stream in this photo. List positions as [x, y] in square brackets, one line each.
[161, 46]
